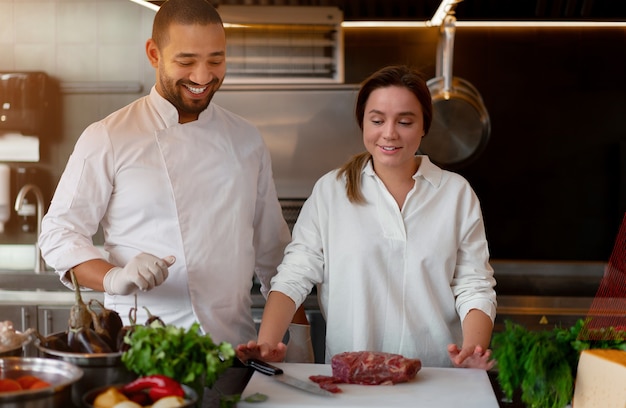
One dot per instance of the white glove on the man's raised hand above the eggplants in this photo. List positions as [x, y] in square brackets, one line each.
[143, 272]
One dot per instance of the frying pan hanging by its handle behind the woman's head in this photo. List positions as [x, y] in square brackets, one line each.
[461, 127]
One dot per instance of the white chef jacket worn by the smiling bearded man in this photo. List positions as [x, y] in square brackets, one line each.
[202, 191]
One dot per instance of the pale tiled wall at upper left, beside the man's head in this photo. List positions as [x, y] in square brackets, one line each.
[47, 35]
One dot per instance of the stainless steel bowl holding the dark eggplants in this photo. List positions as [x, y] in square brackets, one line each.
[99, 369]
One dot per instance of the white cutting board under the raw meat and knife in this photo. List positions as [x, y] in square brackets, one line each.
[431, 388]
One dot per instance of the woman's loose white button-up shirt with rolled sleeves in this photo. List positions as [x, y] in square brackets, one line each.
[390, 279]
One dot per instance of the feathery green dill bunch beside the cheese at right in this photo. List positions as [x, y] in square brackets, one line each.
[543, 364]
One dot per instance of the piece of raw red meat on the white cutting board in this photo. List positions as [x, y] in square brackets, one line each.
[368, 368]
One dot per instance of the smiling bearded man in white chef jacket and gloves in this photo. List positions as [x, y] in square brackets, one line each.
[182, 188]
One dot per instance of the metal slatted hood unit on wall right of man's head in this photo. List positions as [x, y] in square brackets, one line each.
[281, 44]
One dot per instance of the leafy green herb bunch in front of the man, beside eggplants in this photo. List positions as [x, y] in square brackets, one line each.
[188, 356]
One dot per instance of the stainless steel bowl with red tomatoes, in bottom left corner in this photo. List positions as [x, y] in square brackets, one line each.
[61, 375]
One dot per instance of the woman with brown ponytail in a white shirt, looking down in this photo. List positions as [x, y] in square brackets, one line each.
[395, 245]
